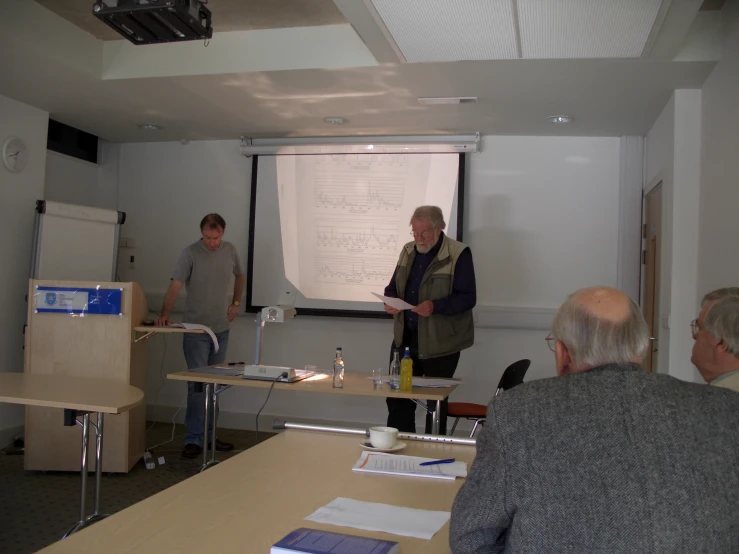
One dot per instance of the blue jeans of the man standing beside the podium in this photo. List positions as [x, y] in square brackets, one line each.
[199, 352]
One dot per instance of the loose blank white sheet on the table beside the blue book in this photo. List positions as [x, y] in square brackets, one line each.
[372, 516]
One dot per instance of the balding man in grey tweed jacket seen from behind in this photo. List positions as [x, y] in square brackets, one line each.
[604, 458]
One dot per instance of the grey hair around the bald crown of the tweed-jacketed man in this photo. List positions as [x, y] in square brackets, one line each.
[594, 341]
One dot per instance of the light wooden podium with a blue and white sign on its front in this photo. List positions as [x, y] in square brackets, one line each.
[64, 339]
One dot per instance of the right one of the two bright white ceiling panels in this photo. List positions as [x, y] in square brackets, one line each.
[585, 28]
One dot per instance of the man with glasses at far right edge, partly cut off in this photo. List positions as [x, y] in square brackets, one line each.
[716, 336]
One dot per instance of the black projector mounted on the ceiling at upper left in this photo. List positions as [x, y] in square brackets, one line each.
[156, 21]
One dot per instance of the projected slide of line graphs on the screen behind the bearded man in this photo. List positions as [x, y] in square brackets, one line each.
[344, 217]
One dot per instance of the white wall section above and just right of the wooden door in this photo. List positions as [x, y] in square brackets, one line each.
[673, 158]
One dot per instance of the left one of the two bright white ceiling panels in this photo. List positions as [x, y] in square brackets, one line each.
[450, 30]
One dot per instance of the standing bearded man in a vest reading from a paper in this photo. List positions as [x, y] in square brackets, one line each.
[435, 274]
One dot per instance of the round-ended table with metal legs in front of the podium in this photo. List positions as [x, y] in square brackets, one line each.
[76, 396]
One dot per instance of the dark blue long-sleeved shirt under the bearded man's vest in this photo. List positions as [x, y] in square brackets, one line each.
[464, 289]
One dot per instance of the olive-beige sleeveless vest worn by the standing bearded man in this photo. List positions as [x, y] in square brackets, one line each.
[438, 334]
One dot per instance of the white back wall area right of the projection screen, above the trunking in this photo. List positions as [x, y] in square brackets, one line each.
[543, 218]
